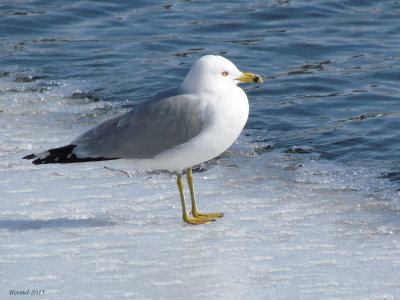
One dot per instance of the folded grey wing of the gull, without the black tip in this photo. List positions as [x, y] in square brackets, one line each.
[165, 121]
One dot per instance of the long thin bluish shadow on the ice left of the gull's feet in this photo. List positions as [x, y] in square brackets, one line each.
[55, 223]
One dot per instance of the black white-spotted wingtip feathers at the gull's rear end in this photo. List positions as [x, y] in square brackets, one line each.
[61, 155]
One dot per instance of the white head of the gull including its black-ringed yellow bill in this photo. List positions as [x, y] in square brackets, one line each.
[214, 73]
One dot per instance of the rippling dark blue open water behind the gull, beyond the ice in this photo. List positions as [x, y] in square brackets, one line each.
[331, 68]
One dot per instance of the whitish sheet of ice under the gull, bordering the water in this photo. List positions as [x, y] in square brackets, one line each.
[294, 226]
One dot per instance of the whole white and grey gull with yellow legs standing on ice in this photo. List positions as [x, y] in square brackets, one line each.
[174, 130]
